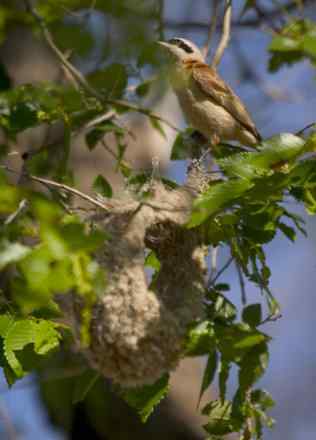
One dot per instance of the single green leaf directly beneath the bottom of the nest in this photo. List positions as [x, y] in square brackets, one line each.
[145, 399]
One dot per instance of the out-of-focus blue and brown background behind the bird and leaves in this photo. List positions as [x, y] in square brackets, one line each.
[282, 101]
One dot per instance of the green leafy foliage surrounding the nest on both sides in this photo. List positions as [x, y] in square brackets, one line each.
[48, 252]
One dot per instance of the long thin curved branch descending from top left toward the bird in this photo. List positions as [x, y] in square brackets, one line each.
[77, 75]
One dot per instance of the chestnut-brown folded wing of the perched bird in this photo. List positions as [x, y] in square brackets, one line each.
[210, 83]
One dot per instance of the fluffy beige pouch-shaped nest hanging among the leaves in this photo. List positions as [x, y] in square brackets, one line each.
[139, 327]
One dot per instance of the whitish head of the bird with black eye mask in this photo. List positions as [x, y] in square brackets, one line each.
[182, 50]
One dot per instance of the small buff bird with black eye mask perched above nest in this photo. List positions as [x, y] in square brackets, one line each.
[208, 103]
